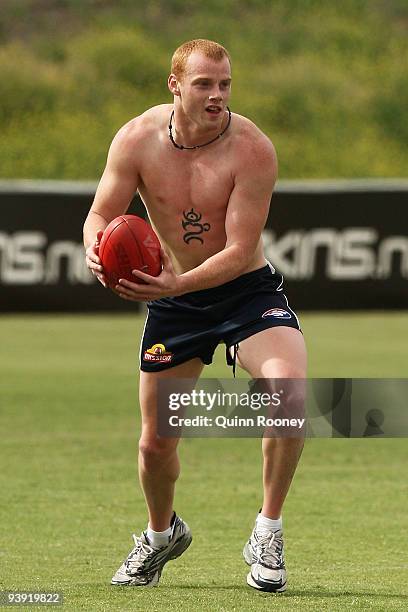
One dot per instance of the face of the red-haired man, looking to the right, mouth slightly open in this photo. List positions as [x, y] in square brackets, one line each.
[205, 89]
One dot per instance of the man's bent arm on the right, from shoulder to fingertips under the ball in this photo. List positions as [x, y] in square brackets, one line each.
[246, 216]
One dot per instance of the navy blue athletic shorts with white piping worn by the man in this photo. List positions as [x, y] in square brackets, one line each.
[192, 325]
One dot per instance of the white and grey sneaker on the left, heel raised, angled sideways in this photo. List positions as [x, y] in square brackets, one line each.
[144, 564]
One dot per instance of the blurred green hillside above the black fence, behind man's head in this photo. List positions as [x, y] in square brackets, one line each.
[327, 81]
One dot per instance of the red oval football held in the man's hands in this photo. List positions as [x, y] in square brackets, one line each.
[129, 243]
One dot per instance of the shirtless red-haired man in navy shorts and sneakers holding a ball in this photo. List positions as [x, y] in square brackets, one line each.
[206, 178]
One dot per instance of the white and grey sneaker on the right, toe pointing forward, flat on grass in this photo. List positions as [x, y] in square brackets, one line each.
[264, 553]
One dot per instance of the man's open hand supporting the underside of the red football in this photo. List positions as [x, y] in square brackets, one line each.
[167, 284]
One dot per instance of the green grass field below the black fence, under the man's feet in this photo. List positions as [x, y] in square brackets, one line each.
[70, 499]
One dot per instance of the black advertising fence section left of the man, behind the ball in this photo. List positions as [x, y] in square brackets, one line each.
[42, 265]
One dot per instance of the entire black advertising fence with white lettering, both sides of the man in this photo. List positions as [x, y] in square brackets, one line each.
[339, 245]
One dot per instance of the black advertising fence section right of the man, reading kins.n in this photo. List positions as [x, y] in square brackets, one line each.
[341, 244]
